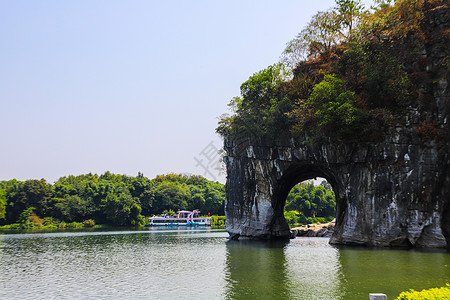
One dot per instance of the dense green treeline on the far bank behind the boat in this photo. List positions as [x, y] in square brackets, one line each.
[106, 199]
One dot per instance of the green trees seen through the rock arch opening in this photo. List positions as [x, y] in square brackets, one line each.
[307, 203]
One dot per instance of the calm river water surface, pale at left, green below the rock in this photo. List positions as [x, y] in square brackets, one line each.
[189, 263]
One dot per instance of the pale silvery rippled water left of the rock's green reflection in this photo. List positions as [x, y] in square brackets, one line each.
[128, 265]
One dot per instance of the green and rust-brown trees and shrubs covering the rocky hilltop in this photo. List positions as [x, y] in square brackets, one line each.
[349, 74]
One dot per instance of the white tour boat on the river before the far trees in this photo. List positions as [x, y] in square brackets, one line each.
[183, 218]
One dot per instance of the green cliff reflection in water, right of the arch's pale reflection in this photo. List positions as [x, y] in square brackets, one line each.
[392, 271]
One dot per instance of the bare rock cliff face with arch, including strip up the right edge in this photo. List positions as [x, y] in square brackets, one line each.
[394, 192]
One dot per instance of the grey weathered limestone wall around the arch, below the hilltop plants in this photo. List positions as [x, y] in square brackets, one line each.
[388, 194]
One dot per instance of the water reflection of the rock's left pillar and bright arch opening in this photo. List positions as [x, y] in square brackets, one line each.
[298, 269]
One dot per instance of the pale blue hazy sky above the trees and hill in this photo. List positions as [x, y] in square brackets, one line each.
[88, 86]
